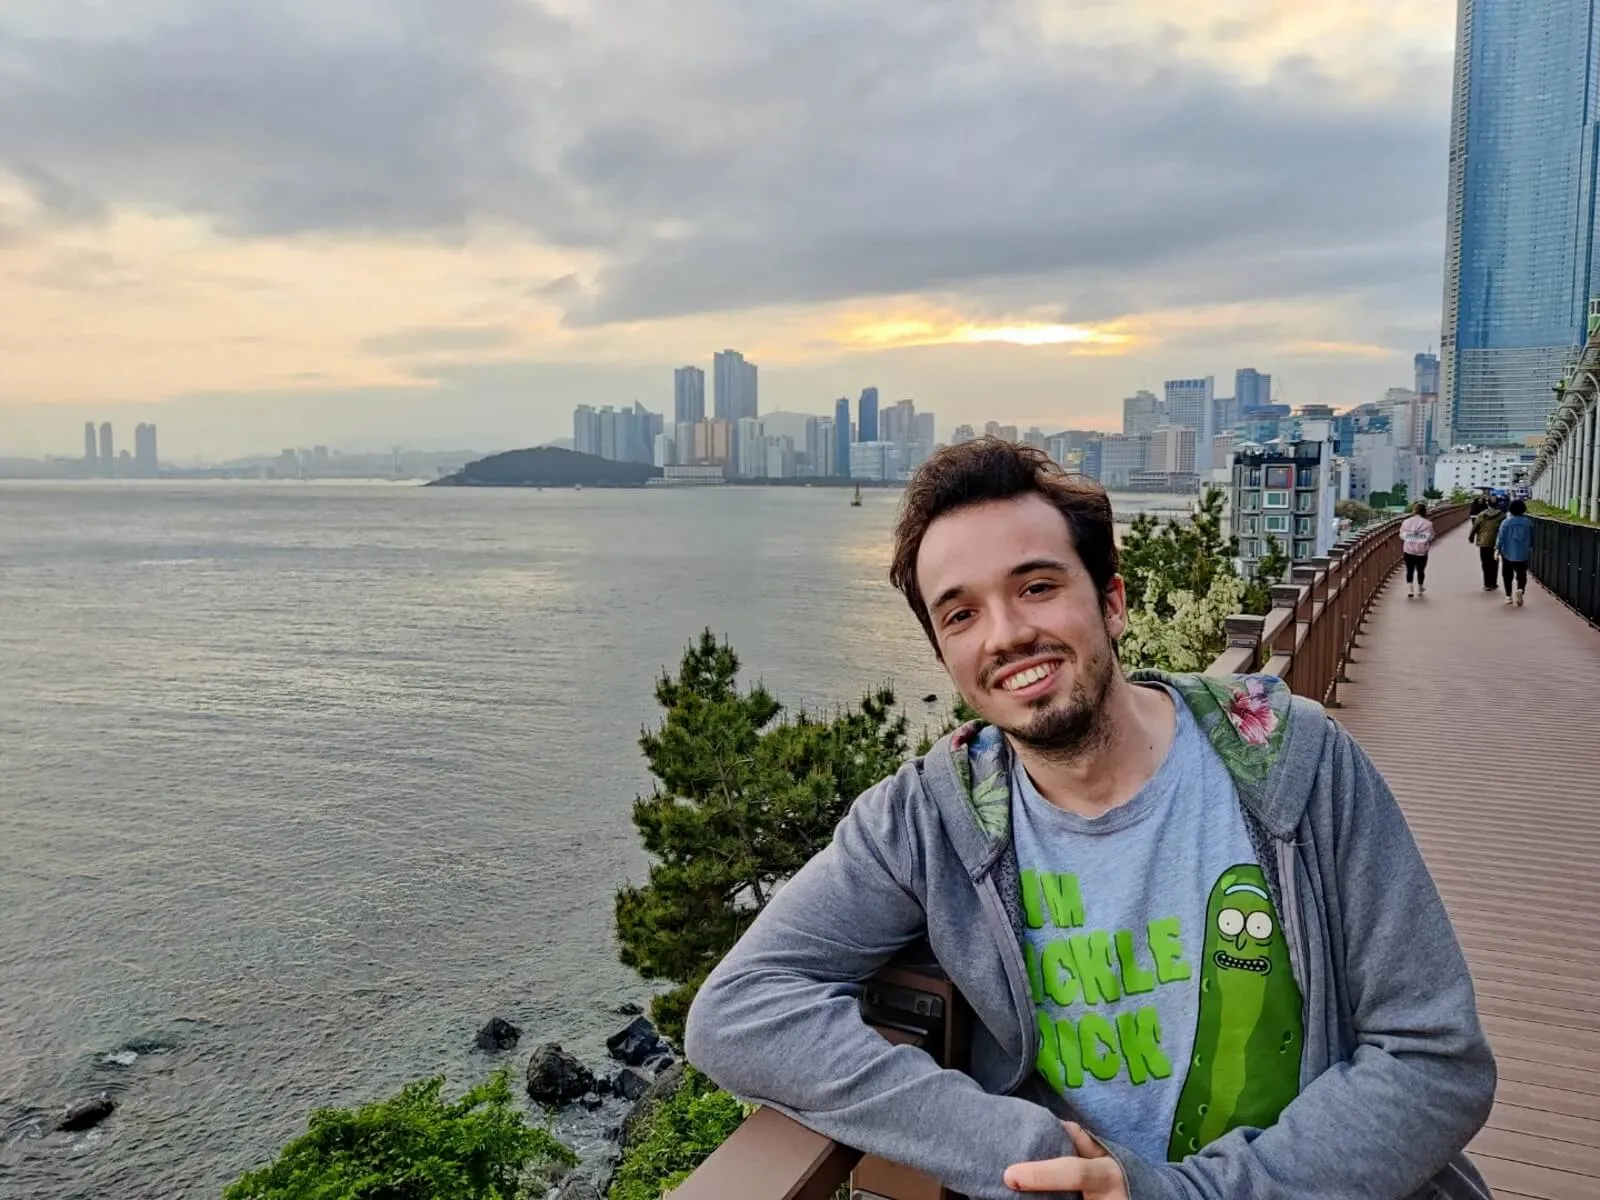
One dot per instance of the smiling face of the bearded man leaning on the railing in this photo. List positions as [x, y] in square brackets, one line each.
[1020, 625]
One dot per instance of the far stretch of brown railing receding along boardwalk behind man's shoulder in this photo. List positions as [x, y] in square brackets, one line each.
[1316, 618]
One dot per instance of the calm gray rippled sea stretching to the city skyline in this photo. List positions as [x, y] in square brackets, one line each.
[302, 783]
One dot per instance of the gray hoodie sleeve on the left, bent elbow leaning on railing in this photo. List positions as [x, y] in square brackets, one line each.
[777, 1023]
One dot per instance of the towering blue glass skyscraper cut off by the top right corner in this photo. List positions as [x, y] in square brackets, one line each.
[1521, 247]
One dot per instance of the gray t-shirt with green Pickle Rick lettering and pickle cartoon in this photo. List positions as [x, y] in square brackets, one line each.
[1162, 986]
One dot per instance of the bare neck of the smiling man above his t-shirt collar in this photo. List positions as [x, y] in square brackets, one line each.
[1137, 730]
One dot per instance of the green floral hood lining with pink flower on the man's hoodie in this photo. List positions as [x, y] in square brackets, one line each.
[1244, 716]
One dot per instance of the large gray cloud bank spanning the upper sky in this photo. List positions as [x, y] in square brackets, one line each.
[722, 154]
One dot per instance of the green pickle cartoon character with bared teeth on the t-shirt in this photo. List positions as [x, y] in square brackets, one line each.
[1249, 1038]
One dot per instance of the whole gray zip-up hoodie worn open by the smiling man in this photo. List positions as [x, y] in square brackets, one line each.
[1396, 1074]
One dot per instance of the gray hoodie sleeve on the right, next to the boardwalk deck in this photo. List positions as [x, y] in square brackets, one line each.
[1422, 1079]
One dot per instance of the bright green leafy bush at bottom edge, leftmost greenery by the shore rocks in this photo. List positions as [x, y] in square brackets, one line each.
[414, 1146]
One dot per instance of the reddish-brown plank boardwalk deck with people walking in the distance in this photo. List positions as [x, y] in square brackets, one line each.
[1486, 719]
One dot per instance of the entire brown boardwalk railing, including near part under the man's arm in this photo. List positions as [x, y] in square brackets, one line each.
[1305, 641]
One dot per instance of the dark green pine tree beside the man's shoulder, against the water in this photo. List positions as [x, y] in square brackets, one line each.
[745, 798]
